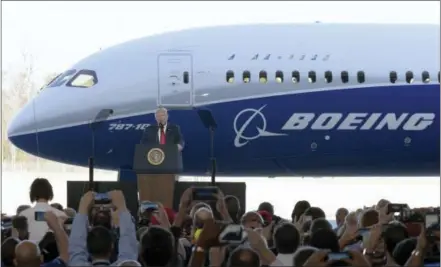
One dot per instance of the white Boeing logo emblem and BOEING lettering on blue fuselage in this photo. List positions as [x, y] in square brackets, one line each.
[330, 121]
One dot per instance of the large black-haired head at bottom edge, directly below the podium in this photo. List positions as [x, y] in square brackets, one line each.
[157, 247]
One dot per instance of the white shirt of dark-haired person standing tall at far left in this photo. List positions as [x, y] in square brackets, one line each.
[37, 229]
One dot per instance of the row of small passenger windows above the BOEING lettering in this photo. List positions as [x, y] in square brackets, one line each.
[328, 76]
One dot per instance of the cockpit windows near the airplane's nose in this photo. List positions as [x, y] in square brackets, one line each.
[82, 78]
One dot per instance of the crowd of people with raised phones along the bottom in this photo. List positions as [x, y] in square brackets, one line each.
[101, 231]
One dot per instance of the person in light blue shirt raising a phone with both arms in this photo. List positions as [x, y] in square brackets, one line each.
[98, 243]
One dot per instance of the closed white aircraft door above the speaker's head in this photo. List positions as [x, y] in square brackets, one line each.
[175, 80]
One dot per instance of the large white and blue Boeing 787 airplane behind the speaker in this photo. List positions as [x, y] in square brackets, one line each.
[313, 99]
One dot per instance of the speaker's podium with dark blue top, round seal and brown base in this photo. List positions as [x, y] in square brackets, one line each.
[156, 167]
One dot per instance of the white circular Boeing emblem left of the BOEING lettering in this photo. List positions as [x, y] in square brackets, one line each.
[241, 139]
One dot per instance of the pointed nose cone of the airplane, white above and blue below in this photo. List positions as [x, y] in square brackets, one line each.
[22, 130]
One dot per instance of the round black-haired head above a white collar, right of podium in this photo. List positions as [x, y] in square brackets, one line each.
[286, 238]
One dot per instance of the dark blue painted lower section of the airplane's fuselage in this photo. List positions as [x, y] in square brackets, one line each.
[344, 152]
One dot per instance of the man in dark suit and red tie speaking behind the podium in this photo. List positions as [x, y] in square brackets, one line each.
[164, 132]
